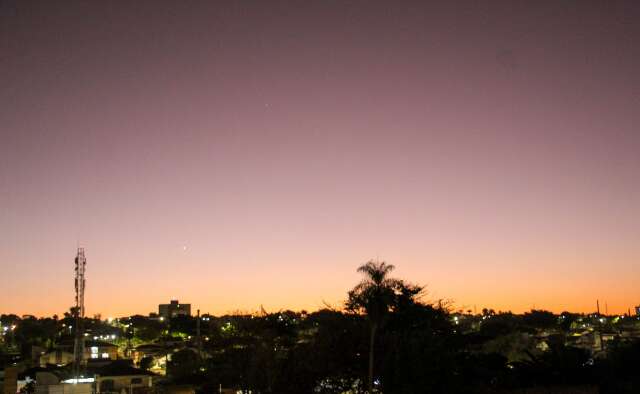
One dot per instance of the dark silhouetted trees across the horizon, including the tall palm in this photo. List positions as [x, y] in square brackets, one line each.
[386, 339]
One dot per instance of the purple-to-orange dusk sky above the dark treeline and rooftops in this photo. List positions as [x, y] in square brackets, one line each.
[235, 154]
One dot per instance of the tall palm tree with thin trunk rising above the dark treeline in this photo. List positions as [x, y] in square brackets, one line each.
[375, 295]
